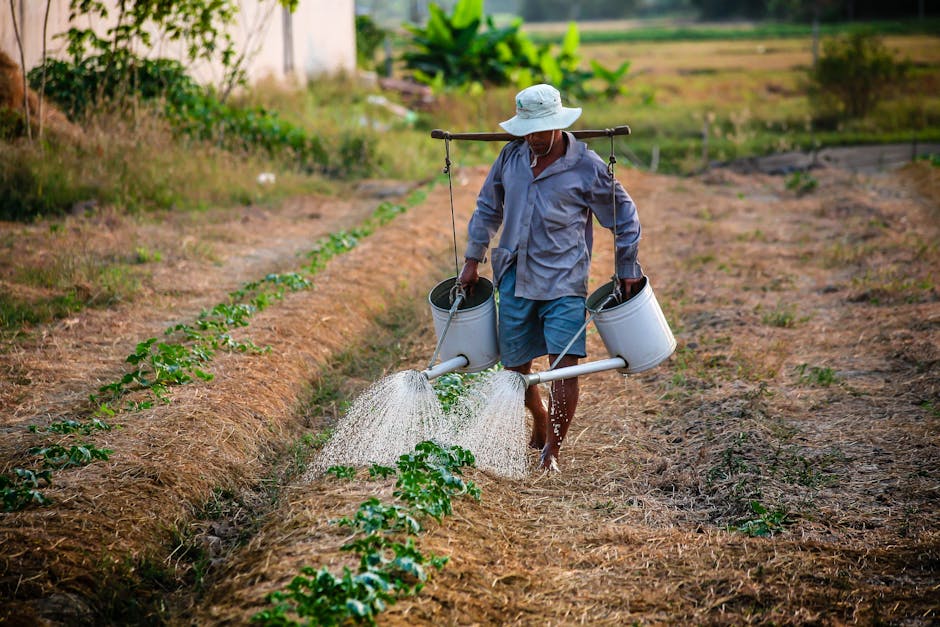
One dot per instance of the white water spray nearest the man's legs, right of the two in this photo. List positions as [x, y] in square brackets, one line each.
[490, 421]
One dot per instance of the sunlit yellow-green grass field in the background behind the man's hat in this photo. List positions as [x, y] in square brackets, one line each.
[752, 95]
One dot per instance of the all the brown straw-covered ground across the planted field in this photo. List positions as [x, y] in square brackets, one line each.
[807, 381]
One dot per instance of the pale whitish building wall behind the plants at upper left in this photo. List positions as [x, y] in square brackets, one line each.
[323, 41]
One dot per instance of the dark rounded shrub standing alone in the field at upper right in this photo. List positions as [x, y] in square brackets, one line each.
[853, 74]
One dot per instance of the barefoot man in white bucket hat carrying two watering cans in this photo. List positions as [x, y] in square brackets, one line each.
[544, 189]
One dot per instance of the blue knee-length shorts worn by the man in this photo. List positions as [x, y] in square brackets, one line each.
[532, 328]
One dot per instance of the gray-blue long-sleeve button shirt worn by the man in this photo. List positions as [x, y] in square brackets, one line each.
[547, 224]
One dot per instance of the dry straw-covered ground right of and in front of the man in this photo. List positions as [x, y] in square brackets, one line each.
[661, 469]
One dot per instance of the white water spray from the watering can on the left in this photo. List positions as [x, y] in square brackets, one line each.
[385, 422]
